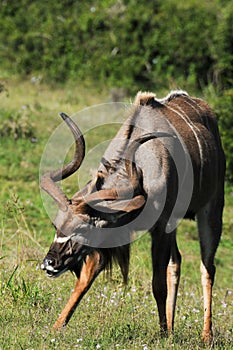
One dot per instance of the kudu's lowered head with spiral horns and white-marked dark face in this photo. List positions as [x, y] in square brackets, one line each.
[83, 221]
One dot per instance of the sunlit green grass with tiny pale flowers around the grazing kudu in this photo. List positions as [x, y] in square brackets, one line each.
[111, 316]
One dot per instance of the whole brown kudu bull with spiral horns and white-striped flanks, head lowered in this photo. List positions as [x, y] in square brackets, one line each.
[166, 163]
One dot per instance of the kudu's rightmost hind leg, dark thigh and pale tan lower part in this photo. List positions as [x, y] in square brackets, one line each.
[209, 221]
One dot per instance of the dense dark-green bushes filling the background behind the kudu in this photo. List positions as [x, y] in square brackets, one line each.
[119, 43]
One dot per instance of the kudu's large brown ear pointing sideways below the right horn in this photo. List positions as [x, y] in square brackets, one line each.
[125, 205]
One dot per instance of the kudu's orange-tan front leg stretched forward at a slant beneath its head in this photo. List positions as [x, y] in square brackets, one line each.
[90, 270]
